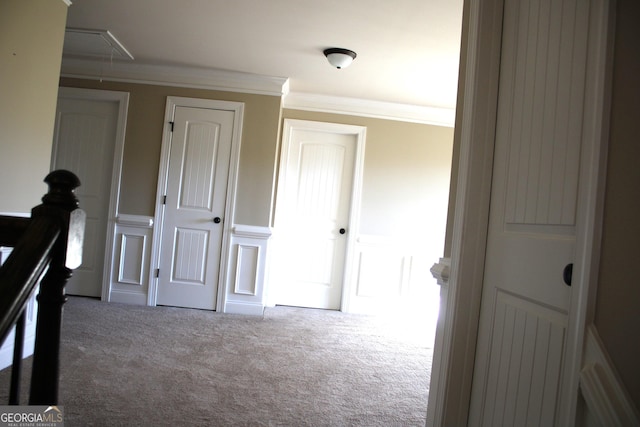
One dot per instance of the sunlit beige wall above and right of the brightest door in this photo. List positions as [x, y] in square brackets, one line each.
[406, 176]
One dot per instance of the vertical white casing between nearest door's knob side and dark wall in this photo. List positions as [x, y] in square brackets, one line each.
[590, 210]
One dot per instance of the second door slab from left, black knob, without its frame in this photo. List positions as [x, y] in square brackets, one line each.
[194, 208]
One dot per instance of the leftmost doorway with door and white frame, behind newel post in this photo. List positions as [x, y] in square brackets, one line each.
[89, 141]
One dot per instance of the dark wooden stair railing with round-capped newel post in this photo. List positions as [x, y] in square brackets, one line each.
[50, 241]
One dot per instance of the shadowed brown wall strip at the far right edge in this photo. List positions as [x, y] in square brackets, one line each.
[618, 299]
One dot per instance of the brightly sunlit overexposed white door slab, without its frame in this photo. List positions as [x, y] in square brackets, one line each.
[313, 216]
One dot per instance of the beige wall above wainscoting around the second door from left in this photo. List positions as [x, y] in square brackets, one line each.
[143, 141]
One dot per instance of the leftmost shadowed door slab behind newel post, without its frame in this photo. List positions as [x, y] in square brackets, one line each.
[84, 143]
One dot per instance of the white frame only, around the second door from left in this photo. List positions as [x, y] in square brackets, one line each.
[232, 184]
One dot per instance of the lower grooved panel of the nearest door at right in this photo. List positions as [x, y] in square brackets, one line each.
[523, 371]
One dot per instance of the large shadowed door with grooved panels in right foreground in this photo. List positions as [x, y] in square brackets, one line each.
[532, 223]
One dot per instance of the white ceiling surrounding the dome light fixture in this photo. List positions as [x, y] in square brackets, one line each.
[408, 50]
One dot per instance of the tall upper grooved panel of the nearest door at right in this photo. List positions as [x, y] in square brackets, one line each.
[545, 120]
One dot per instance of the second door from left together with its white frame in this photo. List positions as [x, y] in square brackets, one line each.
[195, 206]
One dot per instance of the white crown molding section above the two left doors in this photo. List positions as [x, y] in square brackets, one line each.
[171, 75]
